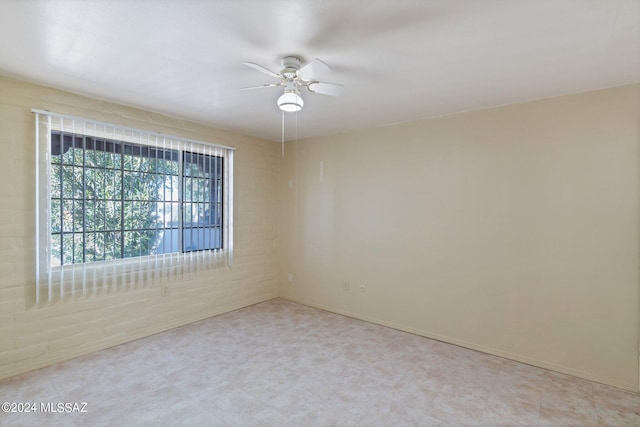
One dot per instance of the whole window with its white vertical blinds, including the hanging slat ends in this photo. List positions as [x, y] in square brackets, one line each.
[120, 208]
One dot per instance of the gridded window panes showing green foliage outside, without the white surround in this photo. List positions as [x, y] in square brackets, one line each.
[113, 199]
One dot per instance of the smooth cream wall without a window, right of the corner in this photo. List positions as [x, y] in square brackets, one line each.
[511, 230]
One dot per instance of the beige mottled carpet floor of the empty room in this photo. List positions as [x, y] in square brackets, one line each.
[283, 364]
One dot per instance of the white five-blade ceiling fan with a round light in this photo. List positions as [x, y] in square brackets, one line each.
[293, 76]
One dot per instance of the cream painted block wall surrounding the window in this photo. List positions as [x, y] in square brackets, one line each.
[31, 338]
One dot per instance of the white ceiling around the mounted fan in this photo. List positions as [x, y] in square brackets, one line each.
[400, 60]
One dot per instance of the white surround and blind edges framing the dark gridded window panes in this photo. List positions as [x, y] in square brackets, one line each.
[117, 269]
